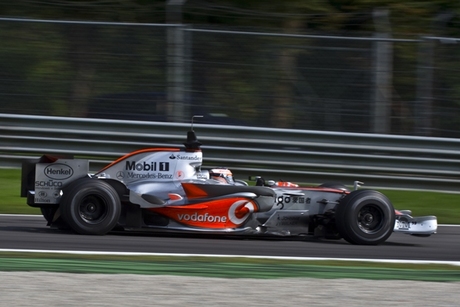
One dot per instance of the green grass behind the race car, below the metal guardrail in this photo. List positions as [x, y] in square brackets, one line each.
[444, 205]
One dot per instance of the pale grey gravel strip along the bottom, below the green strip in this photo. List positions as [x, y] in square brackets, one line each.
[61, 289]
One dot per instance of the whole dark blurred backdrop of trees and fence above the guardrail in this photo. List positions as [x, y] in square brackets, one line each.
[367, 66]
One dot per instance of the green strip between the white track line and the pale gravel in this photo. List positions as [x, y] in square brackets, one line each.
[226, 267]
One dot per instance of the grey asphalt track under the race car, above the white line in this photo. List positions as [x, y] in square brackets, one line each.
[31, 233]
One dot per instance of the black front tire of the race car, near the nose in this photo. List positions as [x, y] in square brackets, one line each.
[365, 217]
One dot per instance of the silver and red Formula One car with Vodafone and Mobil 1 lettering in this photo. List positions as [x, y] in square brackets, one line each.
[166, 189]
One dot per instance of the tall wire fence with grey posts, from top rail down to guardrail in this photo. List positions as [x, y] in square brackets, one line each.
[161, 72]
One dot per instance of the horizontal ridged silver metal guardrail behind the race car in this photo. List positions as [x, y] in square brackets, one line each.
[386, 161]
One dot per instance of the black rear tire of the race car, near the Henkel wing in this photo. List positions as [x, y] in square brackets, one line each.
[90, 206]
